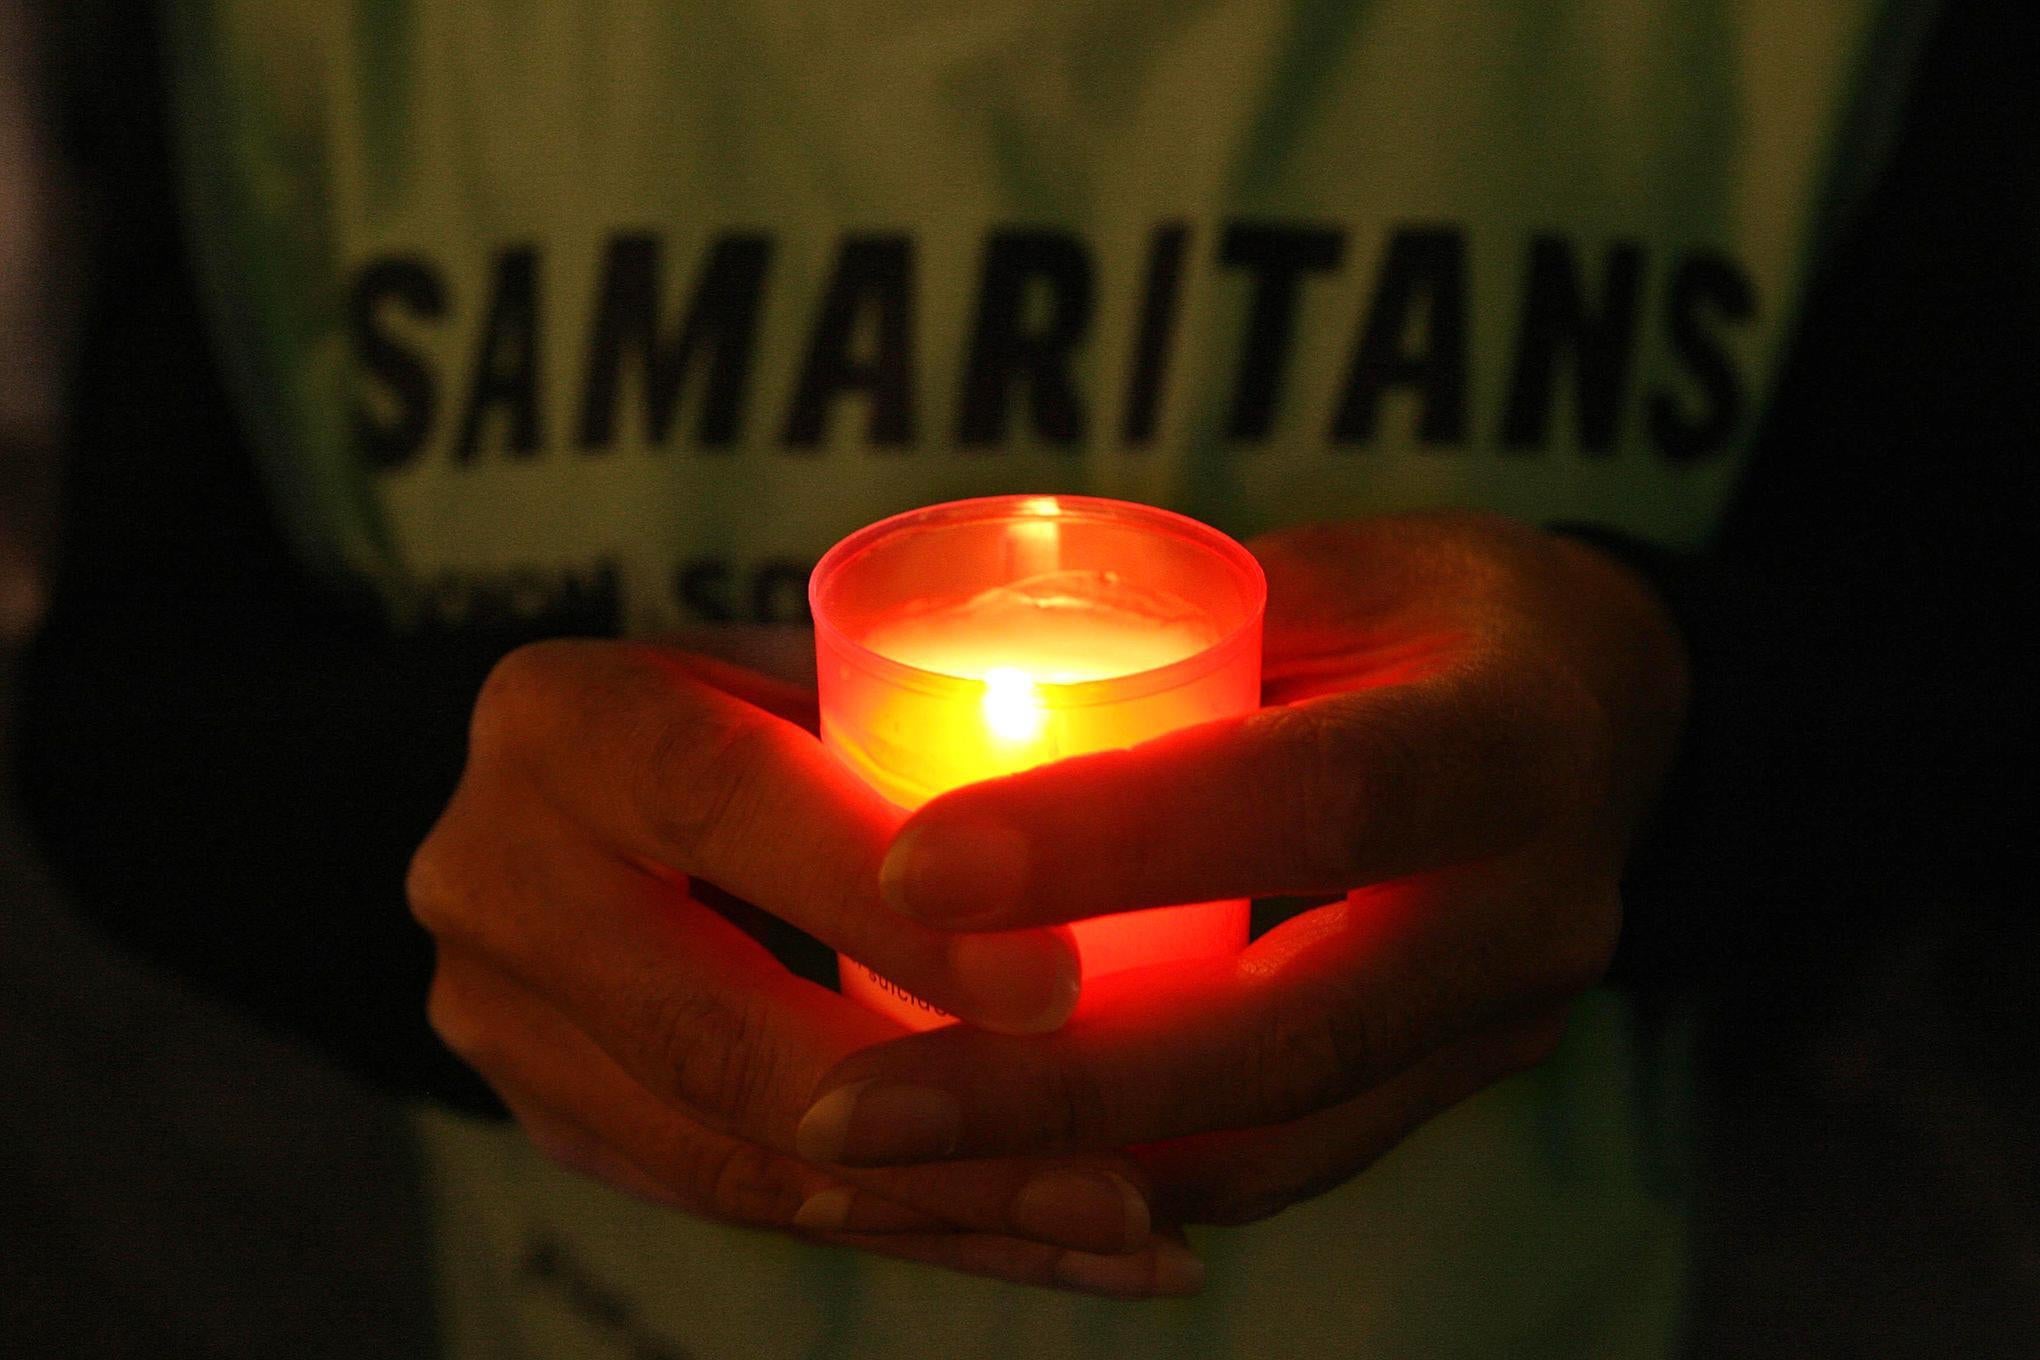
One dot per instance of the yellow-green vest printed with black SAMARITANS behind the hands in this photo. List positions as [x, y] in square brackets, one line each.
[650, 305]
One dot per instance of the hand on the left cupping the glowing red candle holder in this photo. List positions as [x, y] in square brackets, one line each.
[642, 1037]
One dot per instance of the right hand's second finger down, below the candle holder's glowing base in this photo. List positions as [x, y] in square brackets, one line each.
[1327, 1006]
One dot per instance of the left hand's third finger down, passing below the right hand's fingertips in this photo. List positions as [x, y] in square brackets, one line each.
[593, 1114]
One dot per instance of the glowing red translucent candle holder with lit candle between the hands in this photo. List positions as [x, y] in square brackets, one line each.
[984, 637]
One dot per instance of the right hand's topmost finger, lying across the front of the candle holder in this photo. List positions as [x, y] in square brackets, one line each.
[1317, 796]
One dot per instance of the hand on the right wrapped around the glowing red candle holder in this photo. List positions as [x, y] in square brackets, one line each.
[1464, 721]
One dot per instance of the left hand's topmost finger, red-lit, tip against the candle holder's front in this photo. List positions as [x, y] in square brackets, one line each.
[686, 780]
